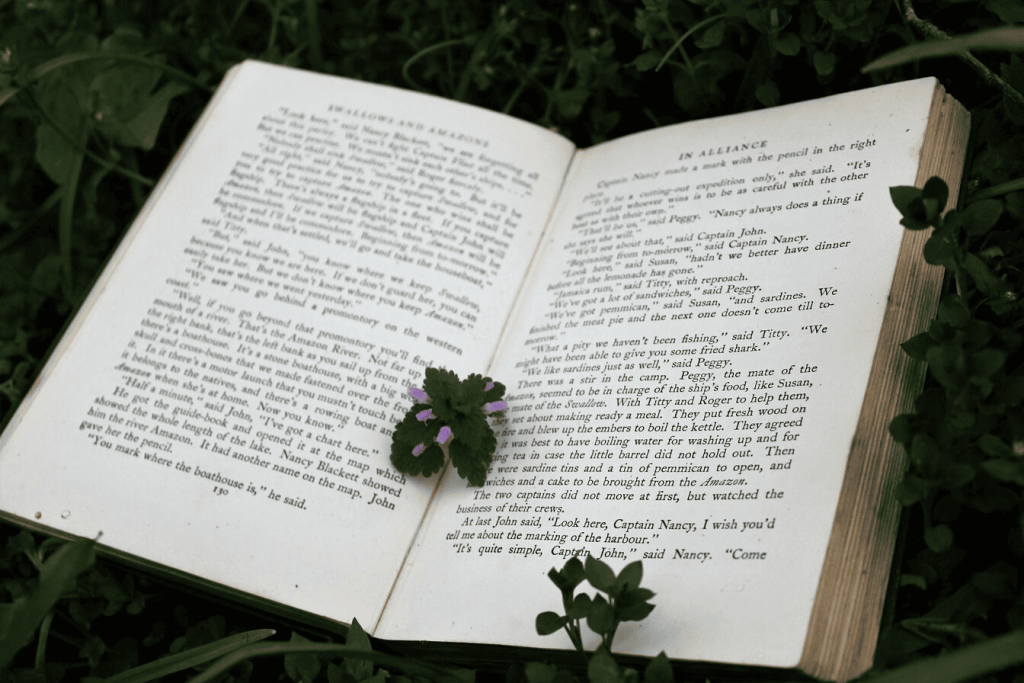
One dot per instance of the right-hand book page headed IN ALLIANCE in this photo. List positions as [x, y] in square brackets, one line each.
[686, 377]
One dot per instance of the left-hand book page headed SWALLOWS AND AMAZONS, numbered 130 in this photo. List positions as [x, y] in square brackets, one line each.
[223, 405]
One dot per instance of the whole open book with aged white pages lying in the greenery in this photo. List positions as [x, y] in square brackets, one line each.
[698, 326]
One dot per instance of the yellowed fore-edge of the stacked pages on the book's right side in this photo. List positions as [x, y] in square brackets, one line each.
[844, 626]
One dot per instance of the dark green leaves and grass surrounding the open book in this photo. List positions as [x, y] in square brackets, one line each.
[84, 137]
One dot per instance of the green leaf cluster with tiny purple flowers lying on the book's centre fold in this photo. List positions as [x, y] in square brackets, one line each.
[450, 419]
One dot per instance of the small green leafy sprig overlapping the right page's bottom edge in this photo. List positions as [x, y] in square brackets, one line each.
[626, 603]
